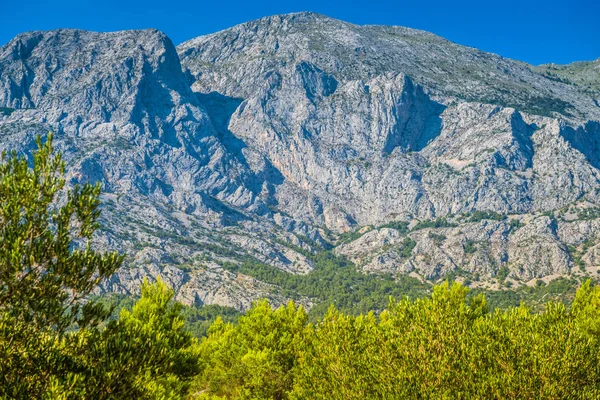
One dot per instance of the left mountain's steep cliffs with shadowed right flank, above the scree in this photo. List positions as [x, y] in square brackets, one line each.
[122, 93]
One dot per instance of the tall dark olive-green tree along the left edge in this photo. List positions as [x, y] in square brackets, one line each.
[47, 266]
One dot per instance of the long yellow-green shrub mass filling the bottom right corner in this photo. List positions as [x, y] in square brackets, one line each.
[450, 347]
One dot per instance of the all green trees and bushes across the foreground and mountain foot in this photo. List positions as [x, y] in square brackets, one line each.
[57, 341]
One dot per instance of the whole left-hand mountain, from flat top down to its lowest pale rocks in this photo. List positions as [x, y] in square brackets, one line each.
[125, 116]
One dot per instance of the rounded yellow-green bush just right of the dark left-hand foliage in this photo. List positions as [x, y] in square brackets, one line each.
[255, 358]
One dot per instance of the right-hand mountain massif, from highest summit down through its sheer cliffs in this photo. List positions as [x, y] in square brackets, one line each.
[364, 123]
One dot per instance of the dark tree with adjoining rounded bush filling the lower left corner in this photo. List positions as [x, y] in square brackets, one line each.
[54, 343]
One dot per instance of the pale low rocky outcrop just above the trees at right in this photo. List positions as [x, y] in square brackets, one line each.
[532, 251]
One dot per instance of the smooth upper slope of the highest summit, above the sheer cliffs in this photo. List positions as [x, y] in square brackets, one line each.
[235, 60]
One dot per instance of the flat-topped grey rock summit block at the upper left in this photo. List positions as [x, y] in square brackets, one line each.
[96, 72]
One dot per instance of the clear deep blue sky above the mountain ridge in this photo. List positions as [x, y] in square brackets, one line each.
[534, 31]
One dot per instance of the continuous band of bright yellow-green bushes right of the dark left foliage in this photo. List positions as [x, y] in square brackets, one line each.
[449, 345]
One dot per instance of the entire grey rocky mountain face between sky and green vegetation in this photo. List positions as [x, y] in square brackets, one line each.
[261, 141]
